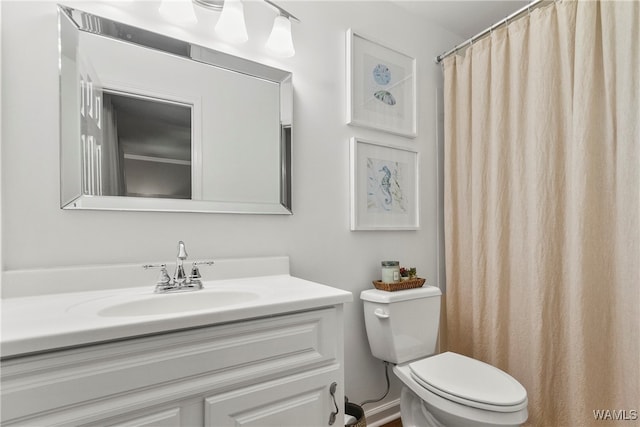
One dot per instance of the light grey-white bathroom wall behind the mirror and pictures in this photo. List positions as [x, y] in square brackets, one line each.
[36, 233]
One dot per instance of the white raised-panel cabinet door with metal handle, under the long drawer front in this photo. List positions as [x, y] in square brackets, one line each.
[296, 401]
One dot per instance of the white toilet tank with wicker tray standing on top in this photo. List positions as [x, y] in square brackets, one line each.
[402, 325]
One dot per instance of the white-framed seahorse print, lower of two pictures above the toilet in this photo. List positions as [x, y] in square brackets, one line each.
[384, 187]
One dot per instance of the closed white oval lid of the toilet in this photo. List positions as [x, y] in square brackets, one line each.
[468, 381]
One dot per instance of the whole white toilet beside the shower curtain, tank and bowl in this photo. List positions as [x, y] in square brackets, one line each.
[446, 389]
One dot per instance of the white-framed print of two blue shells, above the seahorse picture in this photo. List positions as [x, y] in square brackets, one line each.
[381, 92]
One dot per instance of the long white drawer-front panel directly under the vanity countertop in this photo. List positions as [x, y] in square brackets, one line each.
[123, 376]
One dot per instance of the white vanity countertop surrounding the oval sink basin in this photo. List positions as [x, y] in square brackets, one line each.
[46, 322]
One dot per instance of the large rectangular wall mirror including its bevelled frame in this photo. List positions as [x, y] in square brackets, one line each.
[152, 123]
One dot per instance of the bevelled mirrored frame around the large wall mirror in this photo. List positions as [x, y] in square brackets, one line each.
[71, 194]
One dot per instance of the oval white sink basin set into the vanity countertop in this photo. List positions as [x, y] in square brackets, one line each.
[171, 303]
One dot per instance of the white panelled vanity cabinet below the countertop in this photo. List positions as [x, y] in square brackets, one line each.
[271, 371]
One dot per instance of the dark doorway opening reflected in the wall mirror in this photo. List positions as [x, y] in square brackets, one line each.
[145, 148]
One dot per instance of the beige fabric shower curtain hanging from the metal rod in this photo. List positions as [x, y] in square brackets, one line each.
[542, 190]
